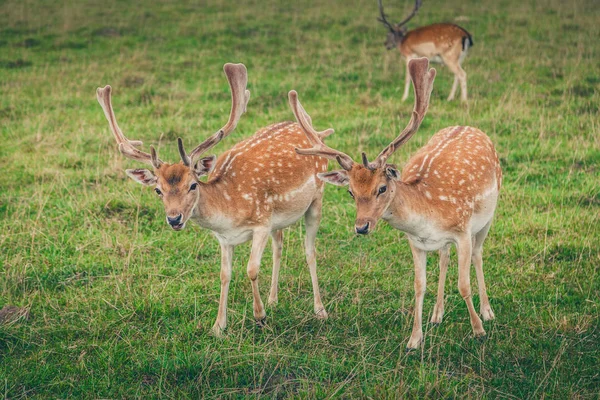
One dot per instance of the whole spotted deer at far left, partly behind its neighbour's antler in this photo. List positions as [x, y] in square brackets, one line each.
[253, 191]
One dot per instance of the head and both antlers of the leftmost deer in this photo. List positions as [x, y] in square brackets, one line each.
[178, 185]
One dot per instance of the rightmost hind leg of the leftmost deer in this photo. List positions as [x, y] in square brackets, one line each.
[312, 218]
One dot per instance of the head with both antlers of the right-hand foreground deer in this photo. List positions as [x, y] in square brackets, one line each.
[371, 184]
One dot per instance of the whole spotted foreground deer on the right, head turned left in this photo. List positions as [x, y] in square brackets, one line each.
[446, 194]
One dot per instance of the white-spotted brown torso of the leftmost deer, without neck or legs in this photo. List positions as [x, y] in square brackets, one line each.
[262, 175]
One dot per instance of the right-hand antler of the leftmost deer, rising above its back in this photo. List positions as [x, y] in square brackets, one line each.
[237, 75]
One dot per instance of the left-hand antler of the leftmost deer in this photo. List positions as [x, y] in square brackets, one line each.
[126, 146]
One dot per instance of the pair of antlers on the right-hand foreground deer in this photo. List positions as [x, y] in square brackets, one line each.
[422, 78]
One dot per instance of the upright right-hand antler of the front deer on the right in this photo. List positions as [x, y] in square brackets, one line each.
[422, 78]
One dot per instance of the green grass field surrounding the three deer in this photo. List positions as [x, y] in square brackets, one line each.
[121, 306]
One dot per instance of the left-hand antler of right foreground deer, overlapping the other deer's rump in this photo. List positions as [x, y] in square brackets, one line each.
[316, 138]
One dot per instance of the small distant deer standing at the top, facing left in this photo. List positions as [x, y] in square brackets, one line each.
[443, 43]
